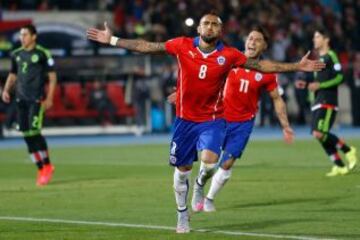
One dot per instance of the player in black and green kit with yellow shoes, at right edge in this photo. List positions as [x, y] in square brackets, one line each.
[325, 106]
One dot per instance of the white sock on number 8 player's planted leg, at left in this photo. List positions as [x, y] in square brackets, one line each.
[181, 187]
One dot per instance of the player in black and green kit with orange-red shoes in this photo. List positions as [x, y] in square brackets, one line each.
[31, 66]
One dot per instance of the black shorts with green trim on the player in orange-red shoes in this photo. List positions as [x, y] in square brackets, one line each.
[30, 115]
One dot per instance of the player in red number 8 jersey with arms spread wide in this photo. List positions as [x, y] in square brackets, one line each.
[204, 63]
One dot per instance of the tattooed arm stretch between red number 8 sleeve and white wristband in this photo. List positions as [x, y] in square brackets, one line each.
[142, 46]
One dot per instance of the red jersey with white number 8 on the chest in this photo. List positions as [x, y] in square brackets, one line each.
[201, 77]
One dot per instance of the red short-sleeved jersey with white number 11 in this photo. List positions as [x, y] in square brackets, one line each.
[242, 91]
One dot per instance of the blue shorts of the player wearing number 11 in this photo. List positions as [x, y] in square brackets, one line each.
[237, 136]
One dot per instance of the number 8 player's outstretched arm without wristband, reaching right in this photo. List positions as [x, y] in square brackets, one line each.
[305, 65]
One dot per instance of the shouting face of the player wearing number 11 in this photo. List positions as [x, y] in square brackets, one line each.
[255, 45]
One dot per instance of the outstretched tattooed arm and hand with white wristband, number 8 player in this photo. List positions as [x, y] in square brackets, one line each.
[105, 36]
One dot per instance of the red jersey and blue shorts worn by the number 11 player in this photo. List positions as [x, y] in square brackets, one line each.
[242, 91]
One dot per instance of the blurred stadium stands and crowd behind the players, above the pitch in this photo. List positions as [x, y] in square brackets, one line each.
[138, 84]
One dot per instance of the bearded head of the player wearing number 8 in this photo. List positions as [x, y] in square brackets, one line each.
[209, 28]
